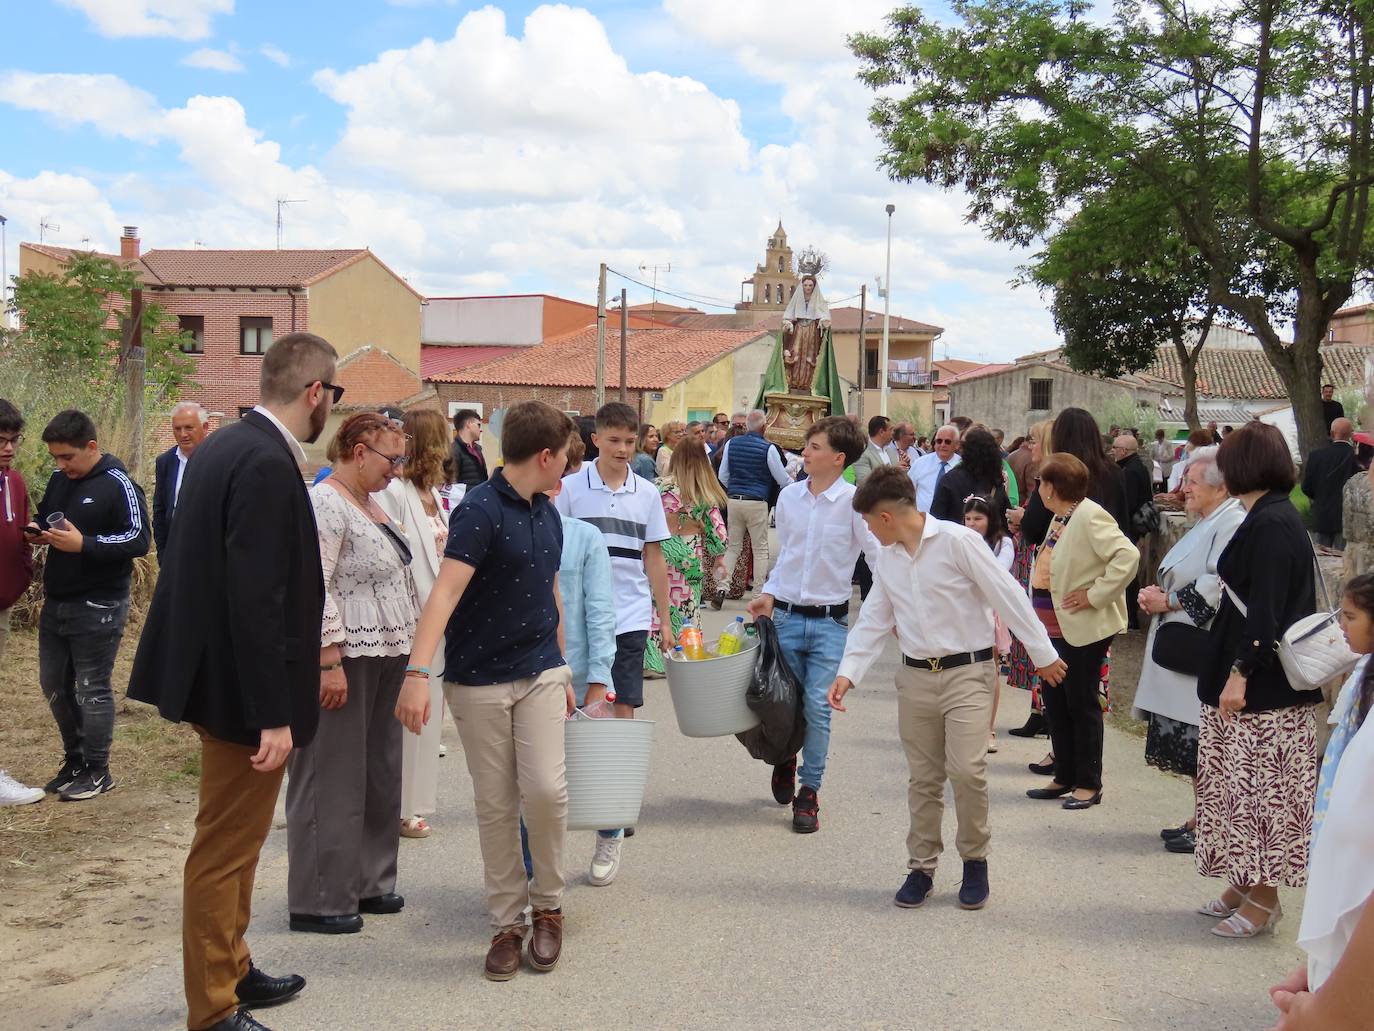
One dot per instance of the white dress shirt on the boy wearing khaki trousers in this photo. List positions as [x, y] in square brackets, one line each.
[941, 601]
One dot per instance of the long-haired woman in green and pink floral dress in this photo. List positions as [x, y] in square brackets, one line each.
[693, 501]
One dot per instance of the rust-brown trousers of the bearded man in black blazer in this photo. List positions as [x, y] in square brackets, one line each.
[233, 823]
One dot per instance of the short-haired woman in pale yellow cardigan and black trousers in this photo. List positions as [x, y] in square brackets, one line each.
[1078, 588]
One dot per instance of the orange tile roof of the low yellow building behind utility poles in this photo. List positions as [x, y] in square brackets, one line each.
[656, 359]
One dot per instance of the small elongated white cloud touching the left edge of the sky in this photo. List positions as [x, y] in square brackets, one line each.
[108, 102]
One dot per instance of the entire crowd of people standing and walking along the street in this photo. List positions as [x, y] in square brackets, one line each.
[424, 581]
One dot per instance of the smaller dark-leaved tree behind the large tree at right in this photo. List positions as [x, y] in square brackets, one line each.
[1125, 284]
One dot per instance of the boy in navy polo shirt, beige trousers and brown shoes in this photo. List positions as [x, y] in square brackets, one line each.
[506, 681]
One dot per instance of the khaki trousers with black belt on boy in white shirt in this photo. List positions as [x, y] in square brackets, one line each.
[943, 720]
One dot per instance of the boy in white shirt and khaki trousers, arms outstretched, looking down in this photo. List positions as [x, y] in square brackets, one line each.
[938, 585]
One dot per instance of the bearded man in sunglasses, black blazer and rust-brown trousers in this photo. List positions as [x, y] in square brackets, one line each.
[230, 647]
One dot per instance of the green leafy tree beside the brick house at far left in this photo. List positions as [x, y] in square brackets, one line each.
[80, 321]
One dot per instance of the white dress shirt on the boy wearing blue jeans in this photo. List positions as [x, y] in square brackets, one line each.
[820, 540]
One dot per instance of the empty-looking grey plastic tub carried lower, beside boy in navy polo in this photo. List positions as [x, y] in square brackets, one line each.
[608, 769]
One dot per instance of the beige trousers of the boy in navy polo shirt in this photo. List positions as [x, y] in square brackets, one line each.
[513, 738]
